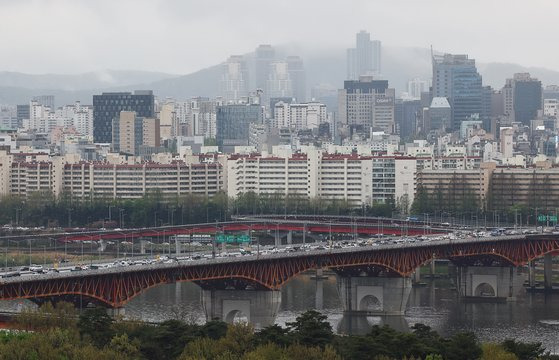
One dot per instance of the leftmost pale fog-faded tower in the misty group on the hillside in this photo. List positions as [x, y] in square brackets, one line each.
[234, 79]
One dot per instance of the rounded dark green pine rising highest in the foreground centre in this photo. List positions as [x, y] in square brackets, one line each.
[311, 328]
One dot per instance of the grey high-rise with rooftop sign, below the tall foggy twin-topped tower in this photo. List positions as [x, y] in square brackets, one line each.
[367, 103]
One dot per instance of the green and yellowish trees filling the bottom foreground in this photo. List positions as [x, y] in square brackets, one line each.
[58, 333]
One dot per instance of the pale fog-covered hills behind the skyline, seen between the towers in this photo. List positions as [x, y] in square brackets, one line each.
[399, 64]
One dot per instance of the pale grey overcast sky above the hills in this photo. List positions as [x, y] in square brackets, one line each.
[181, 36]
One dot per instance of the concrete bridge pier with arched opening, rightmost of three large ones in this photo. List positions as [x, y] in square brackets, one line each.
[490, 282]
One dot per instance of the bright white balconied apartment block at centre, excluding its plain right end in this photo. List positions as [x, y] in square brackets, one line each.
[335, 177]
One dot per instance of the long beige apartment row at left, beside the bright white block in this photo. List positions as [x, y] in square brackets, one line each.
[107, 180]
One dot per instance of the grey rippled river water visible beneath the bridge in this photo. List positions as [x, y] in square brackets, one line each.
[533, 317]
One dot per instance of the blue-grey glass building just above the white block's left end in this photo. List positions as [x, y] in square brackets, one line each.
[233, 124]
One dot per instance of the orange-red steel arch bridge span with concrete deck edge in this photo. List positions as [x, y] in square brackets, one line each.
[114, 287]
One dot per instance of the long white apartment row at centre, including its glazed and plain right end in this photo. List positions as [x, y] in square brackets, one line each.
[360, 180]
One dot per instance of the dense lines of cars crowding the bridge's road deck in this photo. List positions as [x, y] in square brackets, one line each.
[207, 251]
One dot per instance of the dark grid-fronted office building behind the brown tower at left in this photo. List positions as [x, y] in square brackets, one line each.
[108, 106]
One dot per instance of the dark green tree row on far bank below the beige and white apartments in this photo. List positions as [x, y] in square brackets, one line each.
[44, 209]
